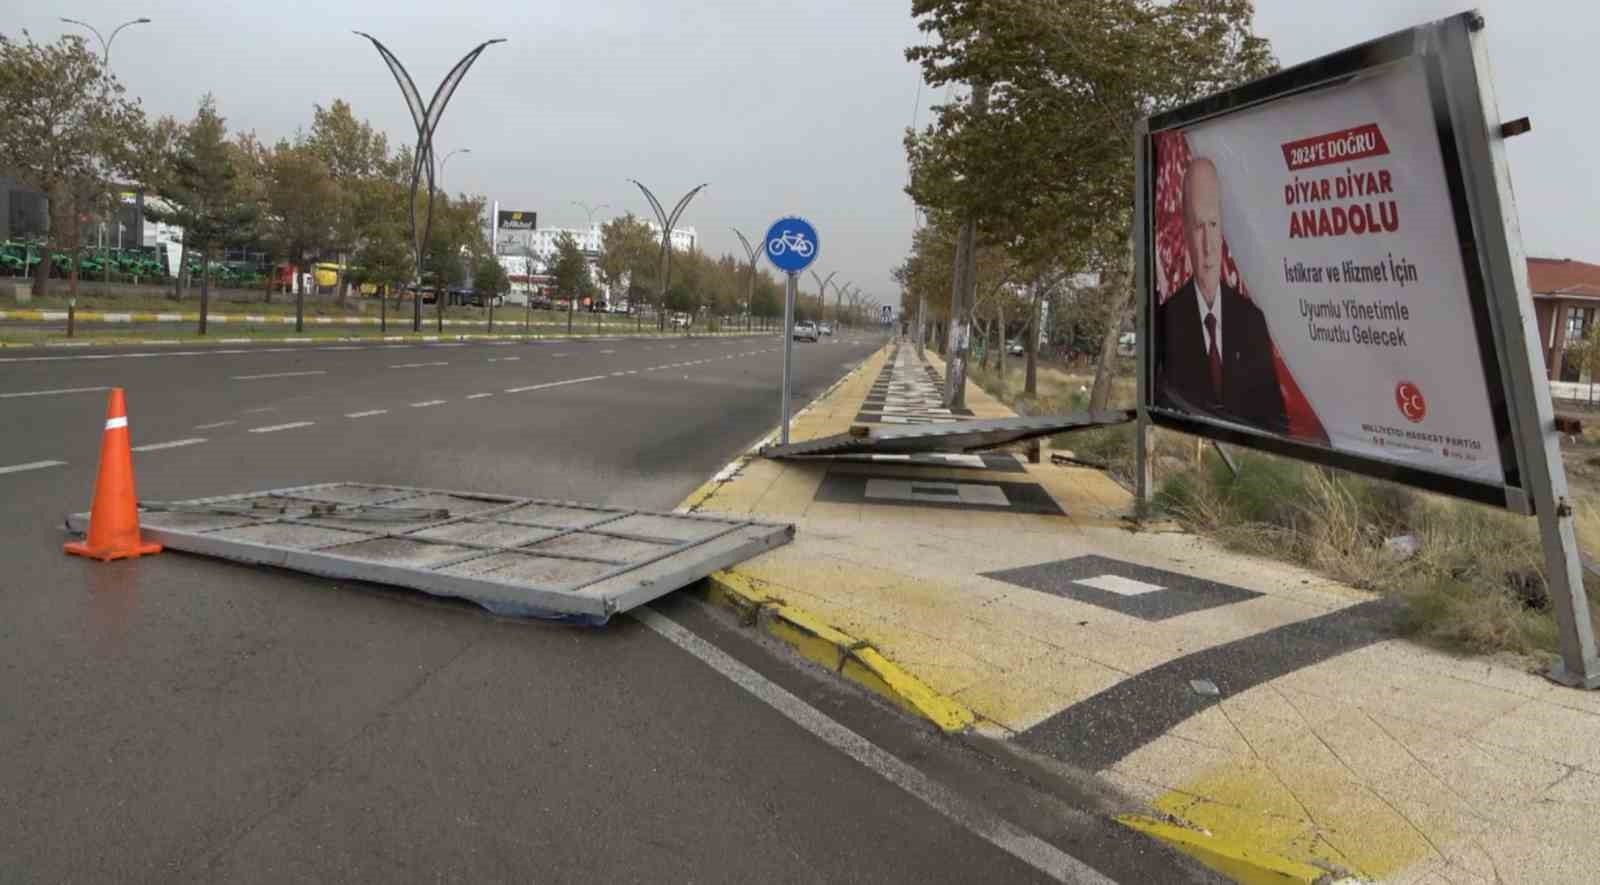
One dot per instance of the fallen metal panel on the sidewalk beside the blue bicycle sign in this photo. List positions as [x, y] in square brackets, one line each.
[962, 436]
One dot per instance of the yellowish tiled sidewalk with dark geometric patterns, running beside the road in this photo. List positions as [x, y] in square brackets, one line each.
[1270, 719]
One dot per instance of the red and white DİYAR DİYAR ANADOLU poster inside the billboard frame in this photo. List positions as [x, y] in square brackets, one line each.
[1310, 279]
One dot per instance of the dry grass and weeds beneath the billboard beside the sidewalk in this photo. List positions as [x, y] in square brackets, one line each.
[1476, 582]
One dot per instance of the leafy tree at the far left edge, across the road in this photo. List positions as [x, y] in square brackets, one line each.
[68, 130]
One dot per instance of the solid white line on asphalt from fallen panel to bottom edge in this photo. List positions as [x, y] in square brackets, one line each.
[978, 820]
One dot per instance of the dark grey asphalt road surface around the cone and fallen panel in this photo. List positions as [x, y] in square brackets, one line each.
[188, 719]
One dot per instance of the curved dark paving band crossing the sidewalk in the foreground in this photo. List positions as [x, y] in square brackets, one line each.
[1102, 731]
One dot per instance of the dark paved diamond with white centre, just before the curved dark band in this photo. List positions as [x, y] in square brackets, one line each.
[1178, 595]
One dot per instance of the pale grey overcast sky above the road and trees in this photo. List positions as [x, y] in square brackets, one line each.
[785, 106]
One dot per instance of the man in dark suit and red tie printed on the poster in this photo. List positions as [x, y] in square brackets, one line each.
[1214, 348]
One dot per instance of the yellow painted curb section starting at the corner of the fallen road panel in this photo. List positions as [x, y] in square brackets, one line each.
[836, 651]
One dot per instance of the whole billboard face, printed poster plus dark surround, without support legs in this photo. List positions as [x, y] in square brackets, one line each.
[1313, 276]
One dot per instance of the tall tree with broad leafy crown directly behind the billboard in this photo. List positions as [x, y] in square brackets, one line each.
[1047, 166]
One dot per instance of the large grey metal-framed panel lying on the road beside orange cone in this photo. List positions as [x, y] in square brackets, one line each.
[513, 556]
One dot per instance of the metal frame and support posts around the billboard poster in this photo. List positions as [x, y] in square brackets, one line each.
[1471, 140]
